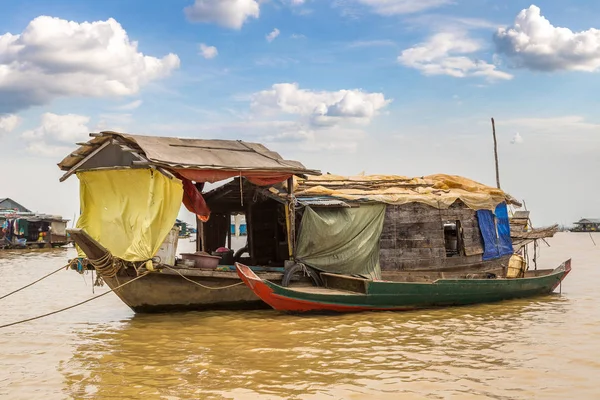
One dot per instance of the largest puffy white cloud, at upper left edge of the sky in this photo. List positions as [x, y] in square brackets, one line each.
[54, 58]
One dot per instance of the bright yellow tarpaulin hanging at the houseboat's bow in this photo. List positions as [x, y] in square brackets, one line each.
[129, 211]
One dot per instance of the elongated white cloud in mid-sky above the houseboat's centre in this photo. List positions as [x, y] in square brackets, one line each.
[320, 107]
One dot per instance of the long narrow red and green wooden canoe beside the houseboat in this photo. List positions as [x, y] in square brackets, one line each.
[342, 293]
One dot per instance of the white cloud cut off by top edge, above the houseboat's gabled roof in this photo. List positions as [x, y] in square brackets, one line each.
[227, 13]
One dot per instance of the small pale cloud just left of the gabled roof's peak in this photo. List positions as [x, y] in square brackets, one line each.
[55, 131]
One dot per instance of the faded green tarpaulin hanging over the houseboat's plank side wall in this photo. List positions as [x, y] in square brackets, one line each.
[342, 240]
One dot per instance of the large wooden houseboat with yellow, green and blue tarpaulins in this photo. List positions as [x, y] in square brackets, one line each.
[300, 224]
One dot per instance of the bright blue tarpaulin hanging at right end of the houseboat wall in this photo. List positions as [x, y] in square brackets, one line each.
[495, 231]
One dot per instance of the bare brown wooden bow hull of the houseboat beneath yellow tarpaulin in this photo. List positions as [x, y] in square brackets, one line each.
[167, 291]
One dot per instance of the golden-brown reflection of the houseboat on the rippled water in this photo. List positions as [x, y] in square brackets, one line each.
[289, 356]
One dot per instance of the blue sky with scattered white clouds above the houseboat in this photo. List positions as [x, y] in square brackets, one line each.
[402, 87]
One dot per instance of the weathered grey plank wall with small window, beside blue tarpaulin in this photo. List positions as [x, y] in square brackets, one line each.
[413, 237]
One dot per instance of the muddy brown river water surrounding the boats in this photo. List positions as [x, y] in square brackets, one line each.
[540, 348]
